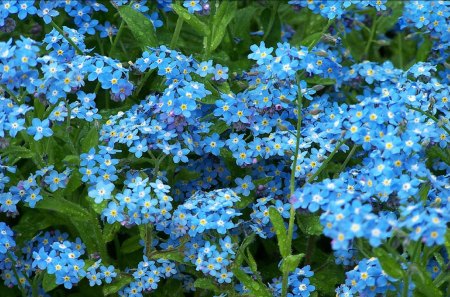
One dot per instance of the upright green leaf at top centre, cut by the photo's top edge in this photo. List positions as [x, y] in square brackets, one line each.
[224, 14]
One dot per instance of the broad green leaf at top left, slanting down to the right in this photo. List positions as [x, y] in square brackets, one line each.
[141, 27]
